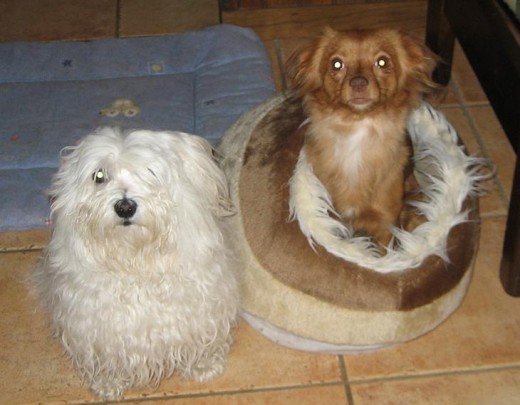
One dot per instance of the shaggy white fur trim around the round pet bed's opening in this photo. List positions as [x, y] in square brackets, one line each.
[446, 175]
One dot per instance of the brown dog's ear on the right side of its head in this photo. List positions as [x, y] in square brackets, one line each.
[420, 63]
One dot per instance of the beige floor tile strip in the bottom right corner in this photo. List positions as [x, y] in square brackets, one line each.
[494, 387]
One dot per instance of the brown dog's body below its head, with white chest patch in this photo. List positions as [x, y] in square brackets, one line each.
[361, 164]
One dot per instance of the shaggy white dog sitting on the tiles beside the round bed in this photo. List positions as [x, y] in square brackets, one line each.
[136, 277]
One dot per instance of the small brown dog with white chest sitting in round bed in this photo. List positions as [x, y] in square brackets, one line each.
[358, 88]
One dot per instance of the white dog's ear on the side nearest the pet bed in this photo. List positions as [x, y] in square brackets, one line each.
[205, 173]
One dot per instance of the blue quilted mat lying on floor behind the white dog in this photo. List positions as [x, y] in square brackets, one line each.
[52, 94]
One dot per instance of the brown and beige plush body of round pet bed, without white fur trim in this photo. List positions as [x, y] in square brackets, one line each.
[311, 293]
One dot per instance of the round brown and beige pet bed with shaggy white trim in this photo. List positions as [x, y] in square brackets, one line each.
[304, 284]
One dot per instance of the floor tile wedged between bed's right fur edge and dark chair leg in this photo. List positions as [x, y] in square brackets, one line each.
[496, 144]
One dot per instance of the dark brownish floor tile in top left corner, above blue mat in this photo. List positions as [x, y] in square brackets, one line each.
[44, 20]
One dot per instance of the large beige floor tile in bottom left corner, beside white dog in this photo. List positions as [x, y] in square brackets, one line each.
[32, 364]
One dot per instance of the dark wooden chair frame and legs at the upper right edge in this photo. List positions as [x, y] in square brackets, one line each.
[493, 53]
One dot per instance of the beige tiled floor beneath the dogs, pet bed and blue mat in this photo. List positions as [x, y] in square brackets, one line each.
[471, 359]
